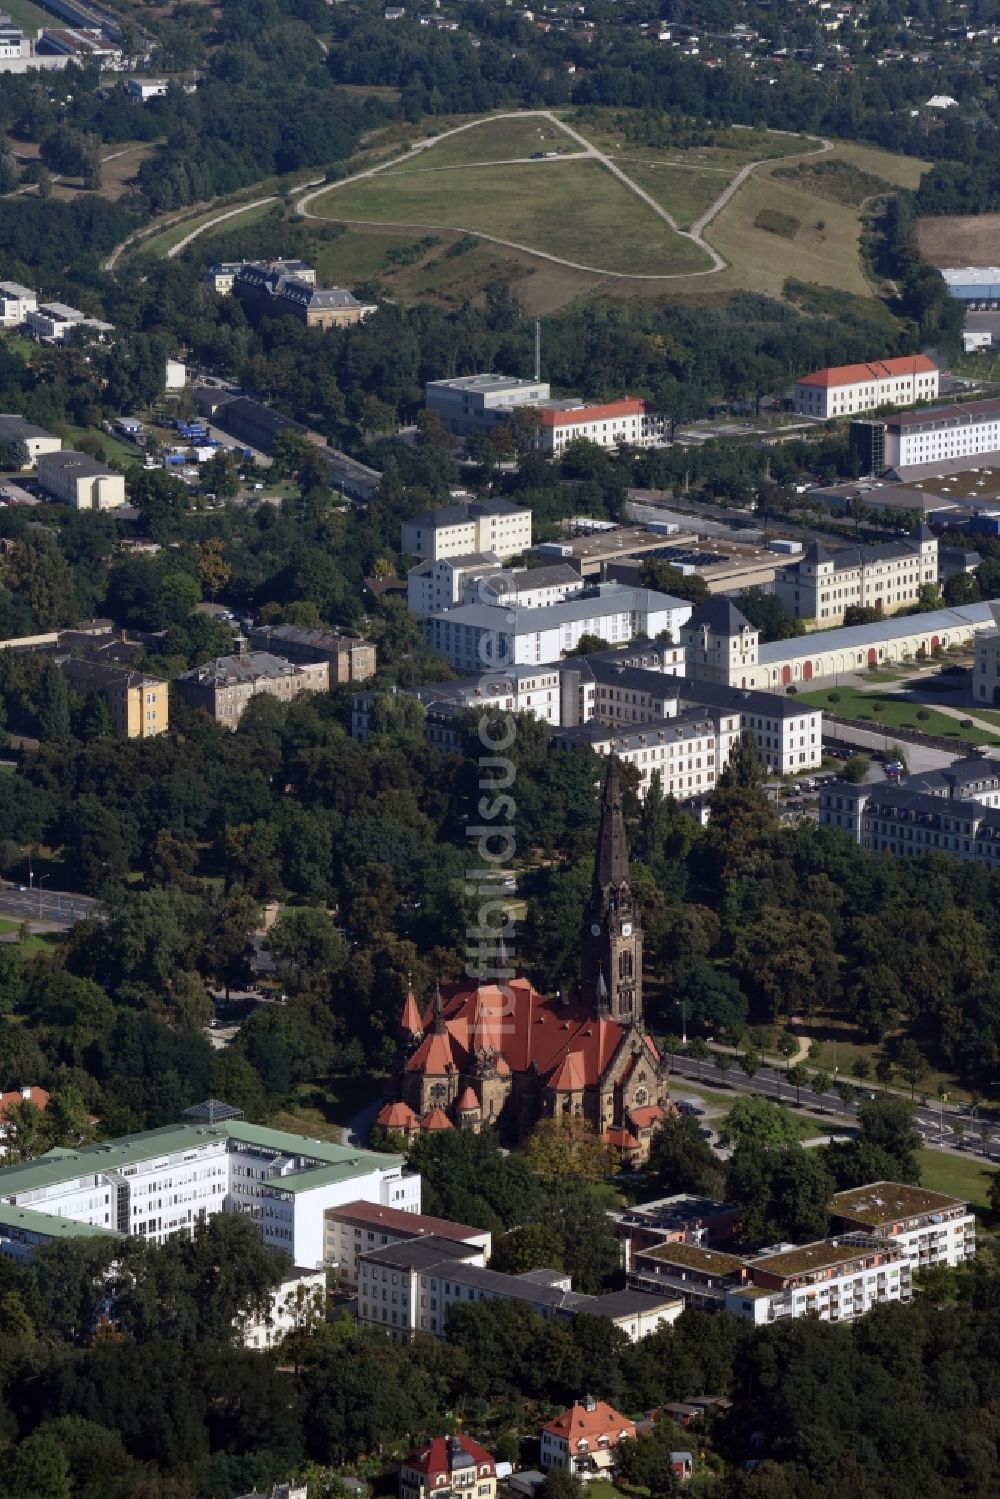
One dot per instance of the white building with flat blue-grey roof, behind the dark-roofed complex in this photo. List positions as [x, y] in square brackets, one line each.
[481, 636]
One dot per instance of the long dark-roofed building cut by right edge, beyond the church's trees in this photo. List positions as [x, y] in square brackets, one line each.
[956, 810]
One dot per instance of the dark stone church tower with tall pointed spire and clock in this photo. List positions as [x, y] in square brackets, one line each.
[612, 932]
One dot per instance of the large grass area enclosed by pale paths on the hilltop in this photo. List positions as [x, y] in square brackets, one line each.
[567, 209]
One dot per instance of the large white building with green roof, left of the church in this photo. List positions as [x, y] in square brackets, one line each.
[167, 1180]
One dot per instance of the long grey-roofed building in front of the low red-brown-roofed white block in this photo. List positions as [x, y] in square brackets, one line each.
[409, 1288]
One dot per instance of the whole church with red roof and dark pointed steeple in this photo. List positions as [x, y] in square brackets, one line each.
[490, 1056]
